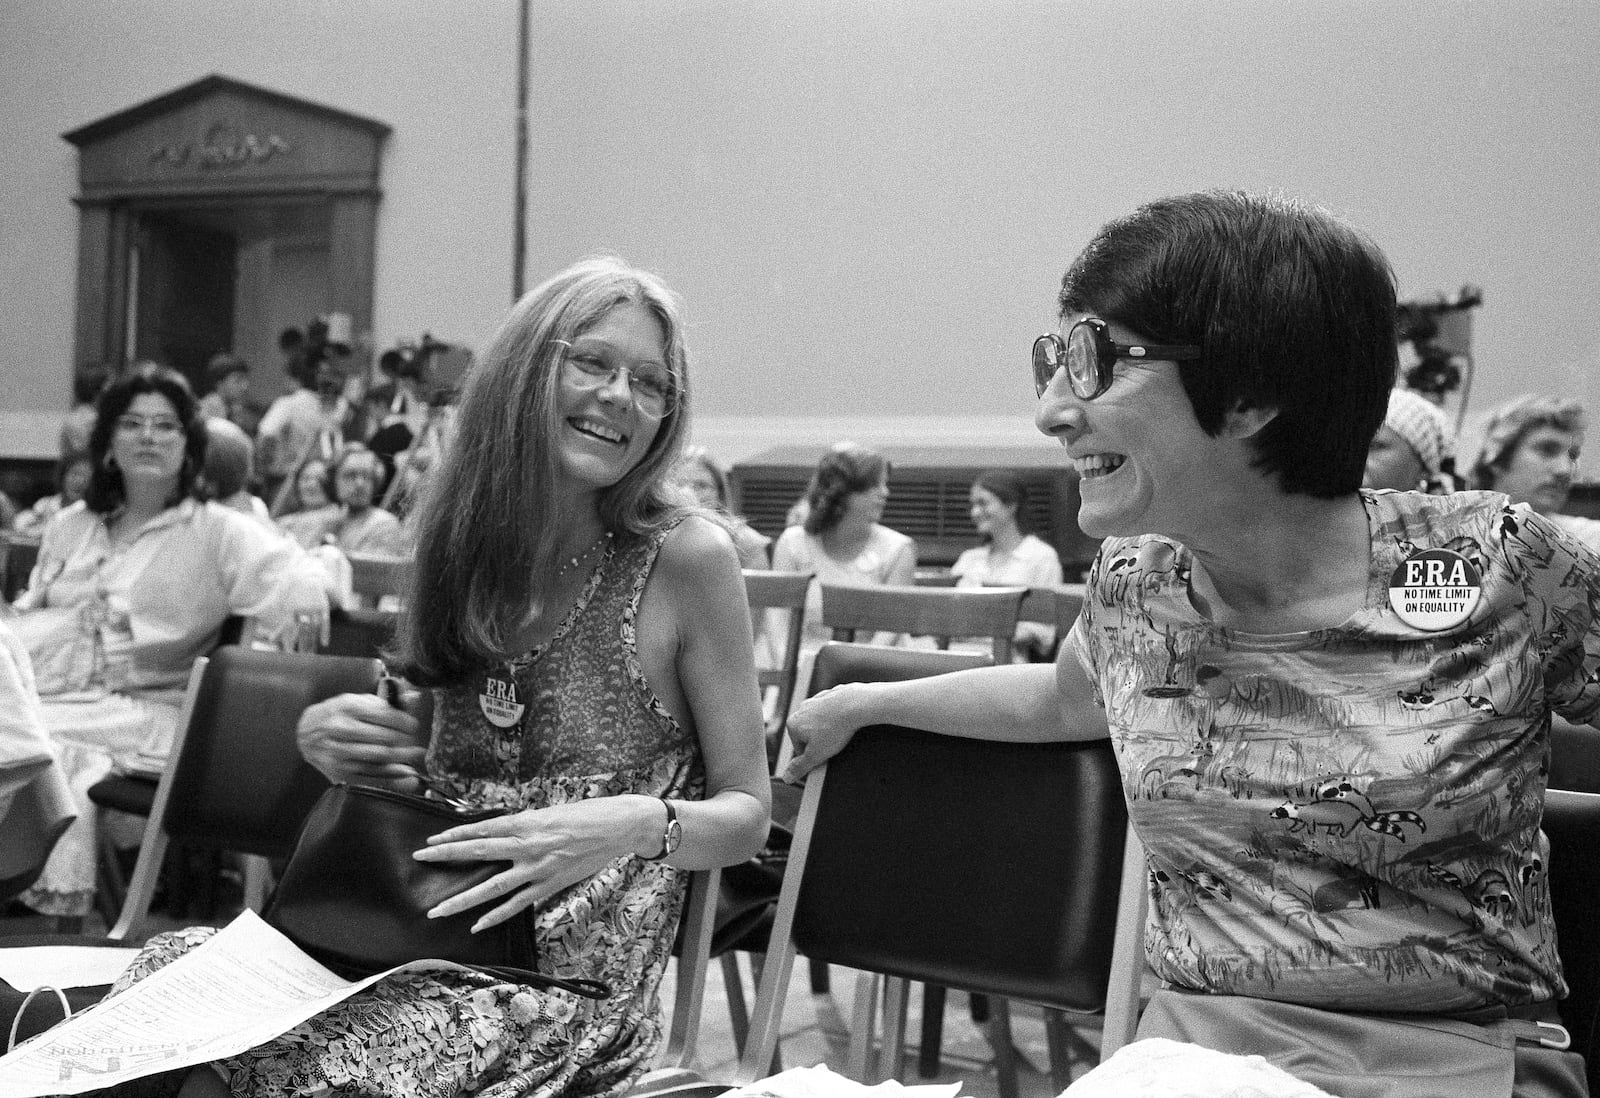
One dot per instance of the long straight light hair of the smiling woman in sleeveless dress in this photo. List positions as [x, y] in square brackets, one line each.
[487, 527]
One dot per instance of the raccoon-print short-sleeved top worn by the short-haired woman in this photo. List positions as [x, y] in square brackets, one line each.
[1350, 817]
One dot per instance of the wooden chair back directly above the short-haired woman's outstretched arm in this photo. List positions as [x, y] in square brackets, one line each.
[926, 612]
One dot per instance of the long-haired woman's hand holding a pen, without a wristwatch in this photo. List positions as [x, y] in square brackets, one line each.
[364, 740]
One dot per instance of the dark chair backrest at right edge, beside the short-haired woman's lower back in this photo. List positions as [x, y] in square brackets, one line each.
[1572, 822]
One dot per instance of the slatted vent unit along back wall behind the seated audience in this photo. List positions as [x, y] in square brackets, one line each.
[929, 497]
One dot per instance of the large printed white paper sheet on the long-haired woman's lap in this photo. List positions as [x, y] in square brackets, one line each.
[239, 990]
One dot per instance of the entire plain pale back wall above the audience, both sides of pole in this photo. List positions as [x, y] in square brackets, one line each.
[868, 206]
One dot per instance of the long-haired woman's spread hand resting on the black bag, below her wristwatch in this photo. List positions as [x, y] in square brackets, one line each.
[548, 849]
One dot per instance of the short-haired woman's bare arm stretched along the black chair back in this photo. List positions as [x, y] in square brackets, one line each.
[1031, 703]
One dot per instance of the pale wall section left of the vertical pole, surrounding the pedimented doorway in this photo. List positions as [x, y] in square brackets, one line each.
[442, 76]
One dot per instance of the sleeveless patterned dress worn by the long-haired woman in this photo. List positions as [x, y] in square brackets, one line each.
[593, 729]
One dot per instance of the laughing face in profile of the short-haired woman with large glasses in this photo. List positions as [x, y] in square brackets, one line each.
[1145, 463]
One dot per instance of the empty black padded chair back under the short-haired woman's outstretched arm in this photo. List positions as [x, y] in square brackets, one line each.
[977, 865]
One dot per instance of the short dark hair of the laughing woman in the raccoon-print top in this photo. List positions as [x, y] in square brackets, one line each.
[1292, 310]
